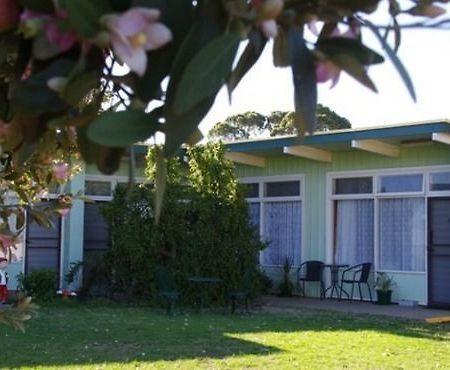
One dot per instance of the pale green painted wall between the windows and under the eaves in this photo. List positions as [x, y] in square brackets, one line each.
[314, 201]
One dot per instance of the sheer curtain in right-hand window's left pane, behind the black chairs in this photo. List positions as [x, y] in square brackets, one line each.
[354, 231]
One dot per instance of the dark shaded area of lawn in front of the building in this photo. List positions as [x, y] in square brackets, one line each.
[63, 336]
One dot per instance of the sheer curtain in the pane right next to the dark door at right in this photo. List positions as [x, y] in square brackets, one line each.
[402, 234]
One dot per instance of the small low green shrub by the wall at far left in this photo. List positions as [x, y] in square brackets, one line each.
[40, 284]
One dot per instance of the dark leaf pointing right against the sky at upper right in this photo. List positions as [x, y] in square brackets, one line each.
[342, 45]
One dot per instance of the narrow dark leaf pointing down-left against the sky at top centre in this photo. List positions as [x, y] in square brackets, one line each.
[252, 52]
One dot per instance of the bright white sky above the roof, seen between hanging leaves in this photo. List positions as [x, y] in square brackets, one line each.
[424, 52]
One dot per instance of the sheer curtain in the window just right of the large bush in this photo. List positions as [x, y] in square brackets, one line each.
[282, 228]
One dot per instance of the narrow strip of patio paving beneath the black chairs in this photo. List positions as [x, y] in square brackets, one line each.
[271, 303]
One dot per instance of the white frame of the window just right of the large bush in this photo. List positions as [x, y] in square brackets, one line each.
[261, 180]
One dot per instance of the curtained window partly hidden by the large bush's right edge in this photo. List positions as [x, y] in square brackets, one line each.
[278, 220]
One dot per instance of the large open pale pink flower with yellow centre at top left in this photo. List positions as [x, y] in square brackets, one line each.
[135, 32]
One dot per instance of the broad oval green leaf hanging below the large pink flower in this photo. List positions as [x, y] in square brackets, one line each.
[122, 129]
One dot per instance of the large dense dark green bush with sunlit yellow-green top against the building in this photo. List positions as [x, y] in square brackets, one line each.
[204, 228]
